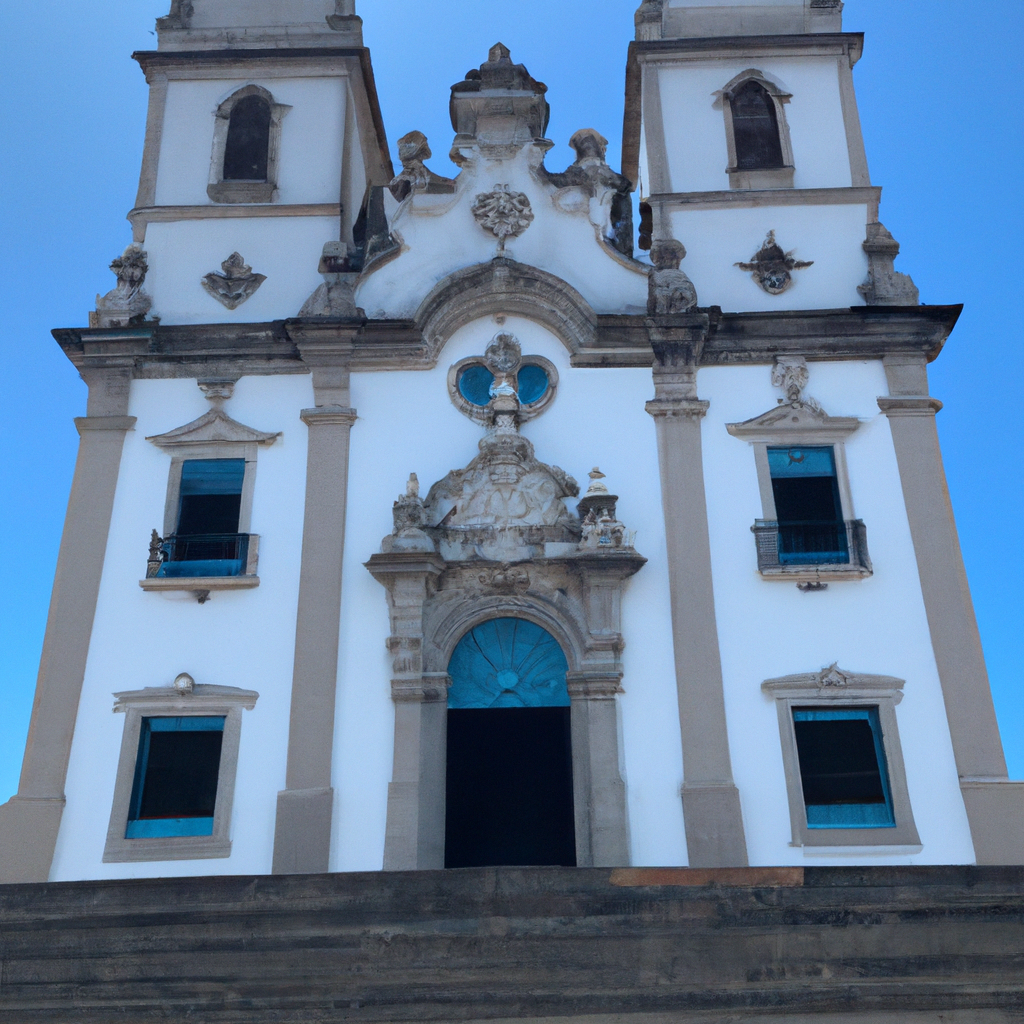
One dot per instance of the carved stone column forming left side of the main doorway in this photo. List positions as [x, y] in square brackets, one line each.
[415, 832]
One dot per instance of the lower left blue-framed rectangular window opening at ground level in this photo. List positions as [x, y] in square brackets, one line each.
[176, 788]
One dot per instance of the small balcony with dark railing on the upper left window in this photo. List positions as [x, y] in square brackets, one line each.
[202, 563]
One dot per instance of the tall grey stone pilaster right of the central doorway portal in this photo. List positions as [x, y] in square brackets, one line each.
[711, 802]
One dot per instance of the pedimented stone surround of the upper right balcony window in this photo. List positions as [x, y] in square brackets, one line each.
[833, 433]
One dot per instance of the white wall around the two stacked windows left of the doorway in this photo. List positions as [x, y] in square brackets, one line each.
[244, 639]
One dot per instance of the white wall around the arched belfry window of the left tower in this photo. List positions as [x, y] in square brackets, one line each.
[312, 136]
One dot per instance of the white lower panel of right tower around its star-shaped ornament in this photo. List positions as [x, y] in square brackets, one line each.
[831, 237]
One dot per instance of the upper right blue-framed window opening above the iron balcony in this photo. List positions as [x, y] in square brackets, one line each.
[808, 508]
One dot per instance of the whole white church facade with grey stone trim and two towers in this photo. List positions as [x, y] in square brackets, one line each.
[428, 523]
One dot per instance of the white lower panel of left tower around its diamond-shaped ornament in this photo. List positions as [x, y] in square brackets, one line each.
[286, 250]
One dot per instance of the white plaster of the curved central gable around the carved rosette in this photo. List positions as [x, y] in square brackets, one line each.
[440, 236]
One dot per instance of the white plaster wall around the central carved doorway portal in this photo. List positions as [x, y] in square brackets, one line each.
[599, 418]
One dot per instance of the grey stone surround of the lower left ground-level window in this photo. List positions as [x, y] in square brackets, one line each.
[167, 702]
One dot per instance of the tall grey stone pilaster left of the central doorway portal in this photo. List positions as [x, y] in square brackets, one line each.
[306, 807]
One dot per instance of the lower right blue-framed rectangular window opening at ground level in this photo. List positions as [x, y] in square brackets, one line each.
[843, 769]
